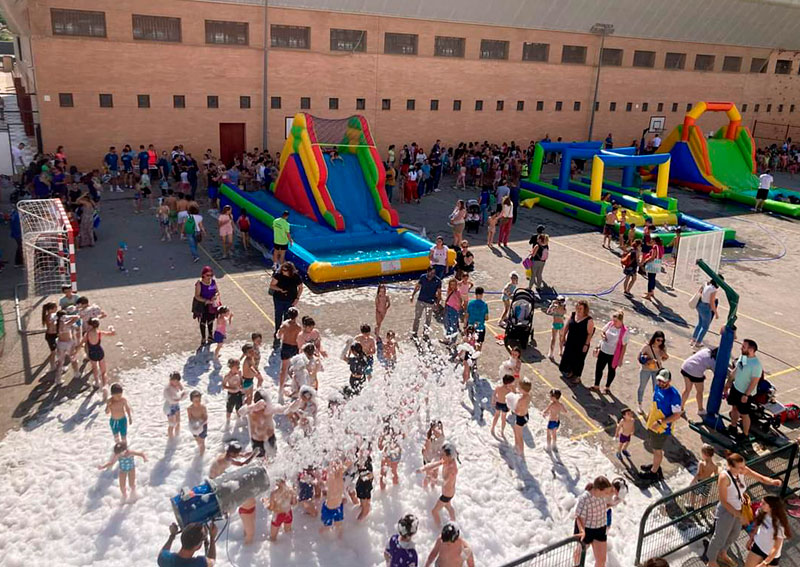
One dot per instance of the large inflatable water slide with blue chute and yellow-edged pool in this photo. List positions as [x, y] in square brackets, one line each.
[342, 223]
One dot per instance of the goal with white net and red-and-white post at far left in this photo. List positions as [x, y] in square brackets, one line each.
[48, 246]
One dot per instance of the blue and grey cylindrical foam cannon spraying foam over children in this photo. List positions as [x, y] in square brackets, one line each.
[218, 497]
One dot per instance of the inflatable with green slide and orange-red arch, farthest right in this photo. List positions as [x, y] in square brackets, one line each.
[724, 165]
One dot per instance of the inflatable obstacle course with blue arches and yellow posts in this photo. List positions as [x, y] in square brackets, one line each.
[590, 199]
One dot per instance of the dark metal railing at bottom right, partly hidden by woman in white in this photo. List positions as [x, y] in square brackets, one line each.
[686, 516]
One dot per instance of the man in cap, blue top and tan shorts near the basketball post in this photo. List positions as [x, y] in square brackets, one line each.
[664, 411]
